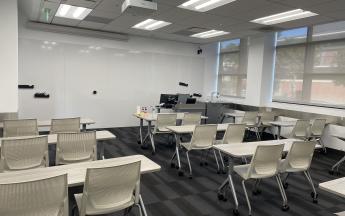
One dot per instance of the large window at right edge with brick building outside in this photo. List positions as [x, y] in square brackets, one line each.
[311, 70]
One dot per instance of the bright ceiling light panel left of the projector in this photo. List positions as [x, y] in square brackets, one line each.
[72, 12]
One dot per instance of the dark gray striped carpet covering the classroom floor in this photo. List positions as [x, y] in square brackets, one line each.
[167, 194]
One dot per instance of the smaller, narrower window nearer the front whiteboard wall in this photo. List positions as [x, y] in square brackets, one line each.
[232, 76]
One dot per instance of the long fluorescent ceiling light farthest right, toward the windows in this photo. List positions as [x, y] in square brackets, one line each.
[284, 17]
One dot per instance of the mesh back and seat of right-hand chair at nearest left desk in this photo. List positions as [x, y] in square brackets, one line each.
[110, 189]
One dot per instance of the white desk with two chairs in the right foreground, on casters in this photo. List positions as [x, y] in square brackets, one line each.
[245, 149]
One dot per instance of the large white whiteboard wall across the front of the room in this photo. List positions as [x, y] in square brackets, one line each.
[125, 74]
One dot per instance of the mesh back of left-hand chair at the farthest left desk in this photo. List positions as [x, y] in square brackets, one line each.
[21, 127]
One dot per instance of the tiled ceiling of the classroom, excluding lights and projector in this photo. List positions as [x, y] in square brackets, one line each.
[233, 17]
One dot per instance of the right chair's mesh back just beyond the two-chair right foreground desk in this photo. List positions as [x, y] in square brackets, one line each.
[234, 133]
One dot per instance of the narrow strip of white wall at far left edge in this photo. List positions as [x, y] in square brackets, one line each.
[9, 56]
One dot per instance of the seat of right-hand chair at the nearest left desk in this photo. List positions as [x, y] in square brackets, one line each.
[91, 210]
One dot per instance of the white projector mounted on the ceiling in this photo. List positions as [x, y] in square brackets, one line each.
[139, 7]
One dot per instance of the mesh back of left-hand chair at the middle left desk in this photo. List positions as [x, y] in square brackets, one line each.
[21, 154]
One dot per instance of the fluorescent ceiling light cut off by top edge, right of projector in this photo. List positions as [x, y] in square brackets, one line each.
[204, 5]
